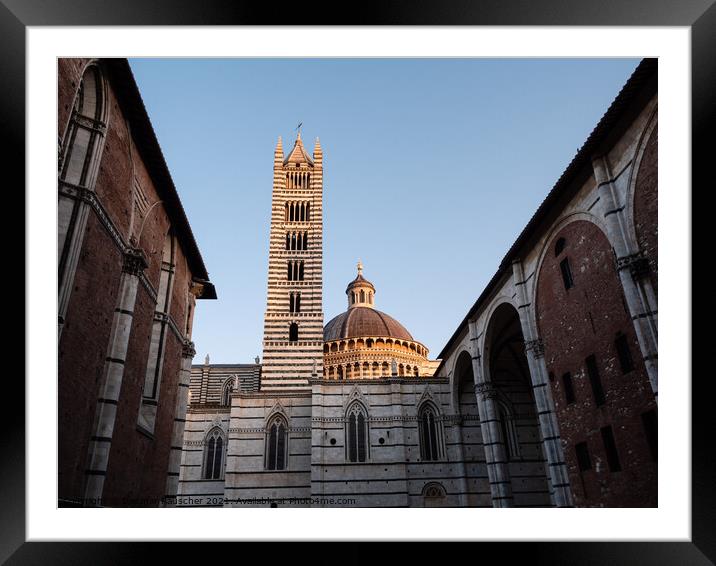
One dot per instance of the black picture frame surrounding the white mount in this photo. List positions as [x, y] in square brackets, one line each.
[699, 15]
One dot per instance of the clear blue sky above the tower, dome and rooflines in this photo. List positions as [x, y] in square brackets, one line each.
[432, 167]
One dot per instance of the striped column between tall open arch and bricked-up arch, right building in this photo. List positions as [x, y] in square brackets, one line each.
[549, 427]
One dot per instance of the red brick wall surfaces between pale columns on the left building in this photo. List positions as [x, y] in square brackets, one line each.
[138, 463]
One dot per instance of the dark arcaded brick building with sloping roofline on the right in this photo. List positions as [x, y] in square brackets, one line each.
[564, 337]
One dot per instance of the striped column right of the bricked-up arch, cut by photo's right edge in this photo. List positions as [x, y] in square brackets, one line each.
[633, 269]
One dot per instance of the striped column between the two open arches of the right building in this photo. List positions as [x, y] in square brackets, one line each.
[498, 472]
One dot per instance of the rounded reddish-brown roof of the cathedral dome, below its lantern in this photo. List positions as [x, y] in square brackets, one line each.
[364, 321]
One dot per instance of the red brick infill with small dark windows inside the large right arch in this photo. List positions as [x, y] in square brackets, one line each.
[574, 324]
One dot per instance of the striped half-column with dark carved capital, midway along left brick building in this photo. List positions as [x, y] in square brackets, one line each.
[106, 411]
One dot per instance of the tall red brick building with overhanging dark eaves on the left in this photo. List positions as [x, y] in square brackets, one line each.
[129, 275]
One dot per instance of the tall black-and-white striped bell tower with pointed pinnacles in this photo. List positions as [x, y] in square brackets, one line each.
[293, 324]
